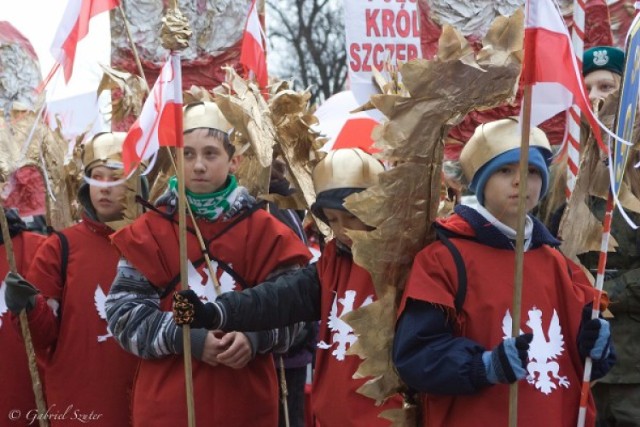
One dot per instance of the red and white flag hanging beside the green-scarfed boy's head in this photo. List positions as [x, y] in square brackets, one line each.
[160, 121]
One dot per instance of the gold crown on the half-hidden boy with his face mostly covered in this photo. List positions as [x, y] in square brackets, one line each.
[346, 168]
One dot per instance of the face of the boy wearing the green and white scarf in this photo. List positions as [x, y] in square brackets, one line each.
[206, 163]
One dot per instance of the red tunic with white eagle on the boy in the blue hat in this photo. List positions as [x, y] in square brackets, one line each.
[552, 305]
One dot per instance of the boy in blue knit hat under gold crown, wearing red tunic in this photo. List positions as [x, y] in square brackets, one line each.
[453, 340]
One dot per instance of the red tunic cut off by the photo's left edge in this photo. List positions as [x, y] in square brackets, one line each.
[16, 392]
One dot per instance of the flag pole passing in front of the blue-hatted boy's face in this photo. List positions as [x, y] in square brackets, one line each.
[519, 265]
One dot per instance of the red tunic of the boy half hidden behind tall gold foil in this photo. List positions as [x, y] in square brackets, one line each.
[335, 401]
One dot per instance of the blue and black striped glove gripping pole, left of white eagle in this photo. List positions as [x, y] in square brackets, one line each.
[507, 362]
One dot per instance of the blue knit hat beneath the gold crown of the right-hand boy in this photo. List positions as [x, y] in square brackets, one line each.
[536, 159]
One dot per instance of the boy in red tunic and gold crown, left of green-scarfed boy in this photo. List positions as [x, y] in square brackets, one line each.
[88, 376]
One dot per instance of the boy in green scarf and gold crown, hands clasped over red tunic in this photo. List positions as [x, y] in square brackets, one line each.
[234, 378]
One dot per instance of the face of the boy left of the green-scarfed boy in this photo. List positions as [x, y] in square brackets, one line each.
[107, 201]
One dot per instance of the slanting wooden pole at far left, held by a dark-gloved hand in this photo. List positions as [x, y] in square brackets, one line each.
[24, 327]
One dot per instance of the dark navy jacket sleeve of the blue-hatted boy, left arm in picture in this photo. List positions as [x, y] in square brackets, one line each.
[430, 359]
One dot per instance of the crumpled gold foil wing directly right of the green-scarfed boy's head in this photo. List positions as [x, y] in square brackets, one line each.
[265, 129]
